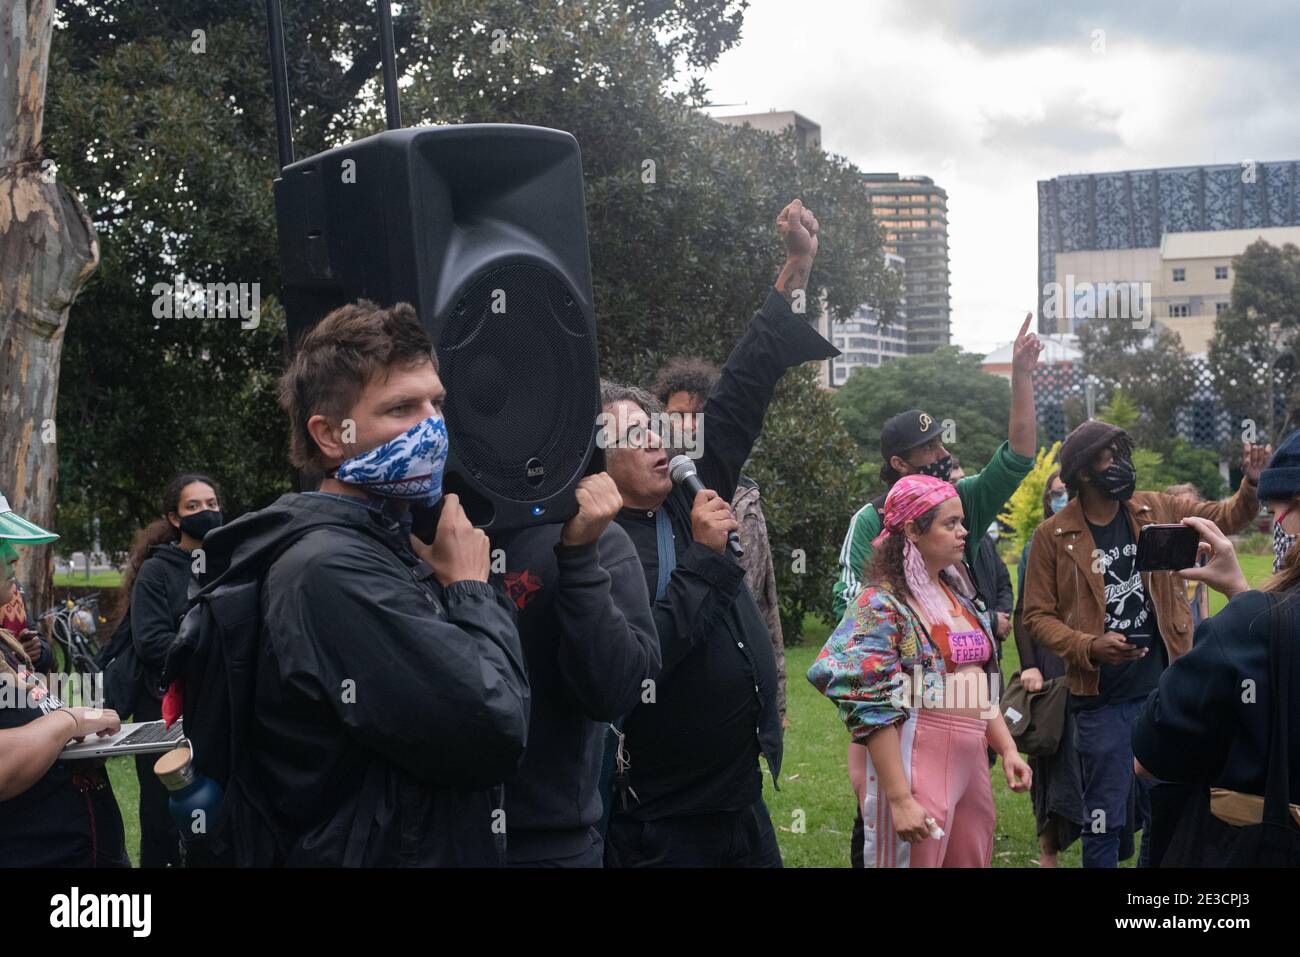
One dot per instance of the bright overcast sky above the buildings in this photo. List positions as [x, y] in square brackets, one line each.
[990, 98]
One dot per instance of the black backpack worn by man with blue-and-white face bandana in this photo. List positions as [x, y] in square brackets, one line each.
[215, 657]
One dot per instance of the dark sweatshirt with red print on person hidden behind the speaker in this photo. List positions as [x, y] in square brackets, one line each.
[590, 643]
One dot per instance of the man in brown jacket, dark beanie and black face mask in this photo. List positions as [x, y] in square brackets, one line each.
[1117, 629]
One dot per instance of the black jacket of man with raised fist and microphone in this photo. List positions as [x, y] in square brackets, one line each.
[696, 748]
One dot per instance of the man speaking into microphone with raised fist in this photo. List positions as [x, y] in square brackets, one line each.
[688, 789]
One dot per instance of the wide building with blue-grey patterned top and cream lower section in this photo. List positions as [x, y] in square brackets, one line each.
[1116, 231]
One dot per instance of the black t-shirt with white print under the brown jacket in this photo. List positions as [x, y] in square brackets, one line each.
[1130, 613]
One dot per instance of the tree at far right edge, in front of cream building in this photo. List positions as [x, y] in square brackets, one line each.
[1258, 331]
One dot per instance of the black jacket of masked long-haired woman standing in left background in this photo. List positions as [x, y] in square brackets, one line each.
[159, 599]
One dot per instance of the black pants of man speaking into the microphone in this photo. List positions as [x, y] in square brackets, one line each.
[726, 839]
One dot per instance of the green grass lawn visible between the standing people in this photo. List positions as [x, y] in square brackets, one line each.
[813, 812]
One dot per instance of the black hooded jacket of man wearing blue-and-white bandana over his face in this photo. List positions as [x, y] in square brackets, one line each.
[389, 709]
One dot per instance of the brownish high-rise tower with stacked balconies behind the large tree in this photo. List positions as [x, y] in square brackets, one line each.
[913, 216]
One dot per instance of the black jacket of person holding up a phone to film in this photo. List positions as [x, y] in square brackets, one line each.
[1208, 720]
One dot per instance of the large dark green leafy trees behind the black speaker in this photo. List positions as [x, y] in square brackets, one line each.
[175, 155]
